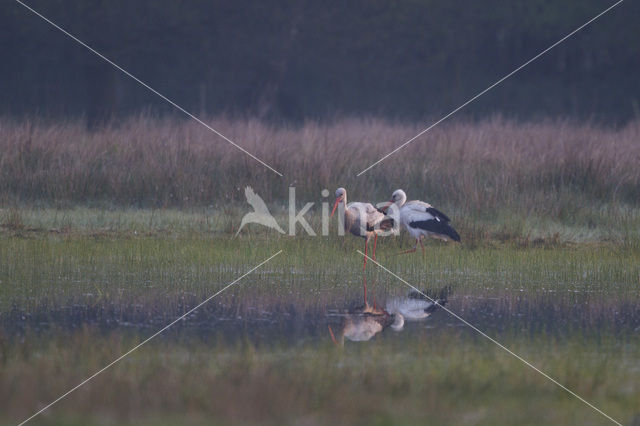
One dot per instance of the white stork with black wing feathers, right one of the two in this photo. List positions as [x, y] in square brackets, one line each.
[422, 220]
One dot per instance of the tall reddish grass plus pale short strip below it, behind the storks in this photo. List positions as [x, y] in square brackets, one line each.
[542, 183]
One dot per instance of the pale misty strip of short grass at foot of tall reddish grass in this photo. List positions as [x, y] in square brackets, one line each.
[615, 225]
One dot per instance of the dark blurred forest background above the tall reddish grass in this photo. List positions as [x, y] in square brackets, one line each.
[295, 60]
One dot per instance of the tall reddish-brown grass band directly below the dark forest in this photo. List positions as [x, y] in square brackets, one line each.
[549, 167]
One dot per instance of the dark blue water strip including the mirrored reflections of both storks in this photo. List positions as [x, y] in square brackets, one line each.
[293, 318]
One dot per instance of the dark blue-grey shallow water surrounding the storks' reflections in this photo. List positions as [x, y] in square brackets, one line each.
[498, 314]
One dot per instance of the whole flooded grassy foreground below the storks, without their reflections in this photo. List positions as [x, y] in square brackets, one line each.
[72, 301]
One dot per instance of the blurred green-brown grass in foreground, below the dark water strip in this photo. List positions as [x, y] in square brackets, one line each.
[441, 378]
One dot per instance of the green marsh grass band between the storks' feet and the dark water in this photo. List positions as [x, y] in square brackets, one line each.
[59, 266]
